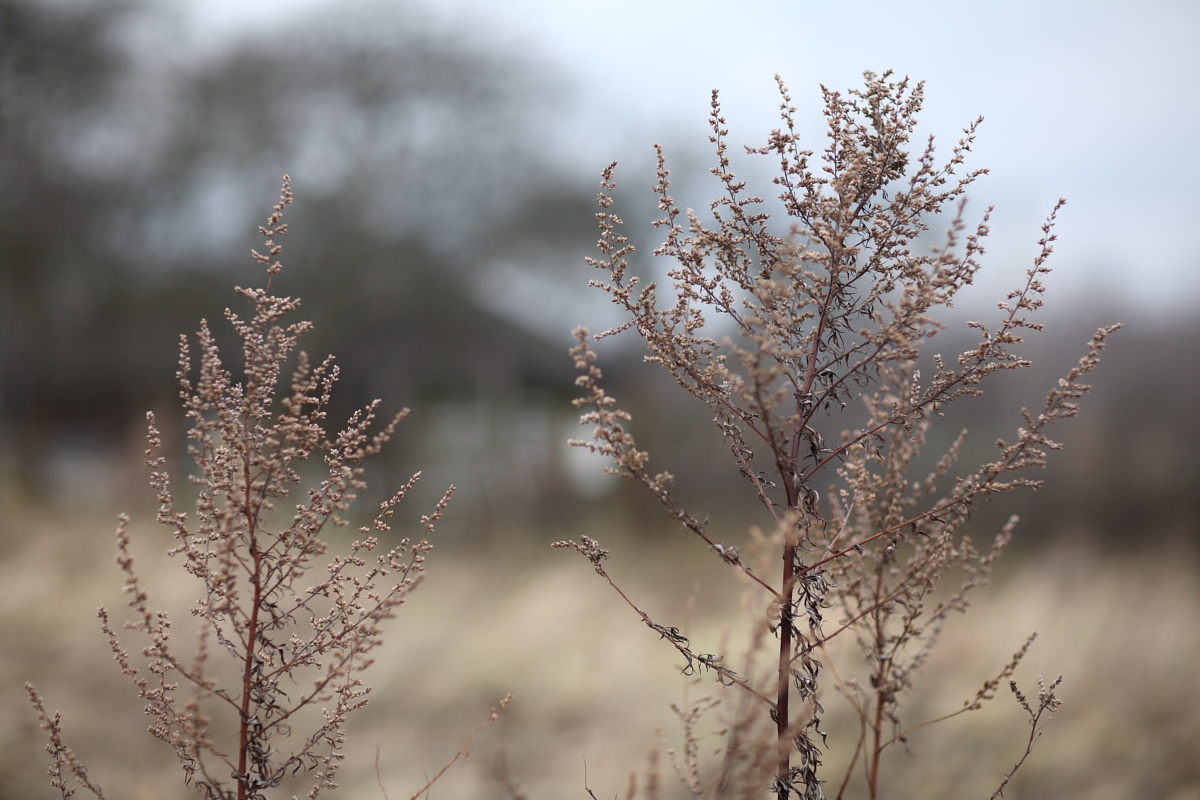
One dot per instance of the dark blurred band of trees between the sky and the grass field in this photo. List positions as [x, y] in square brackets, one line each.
[436, 243]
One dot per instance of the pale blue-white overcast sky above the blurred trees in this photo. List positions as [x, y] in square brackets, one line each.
[1095, 101]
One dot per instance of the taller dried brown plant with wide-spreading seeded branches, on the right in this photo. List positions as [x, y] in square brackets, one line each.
[785, 335]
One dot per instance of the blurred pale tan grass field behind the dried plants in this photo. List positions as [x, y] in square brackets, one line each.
[592, 684]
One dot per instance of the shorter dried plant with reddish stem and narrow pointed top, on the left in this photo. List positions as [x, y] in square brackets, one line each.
[285, 636]
